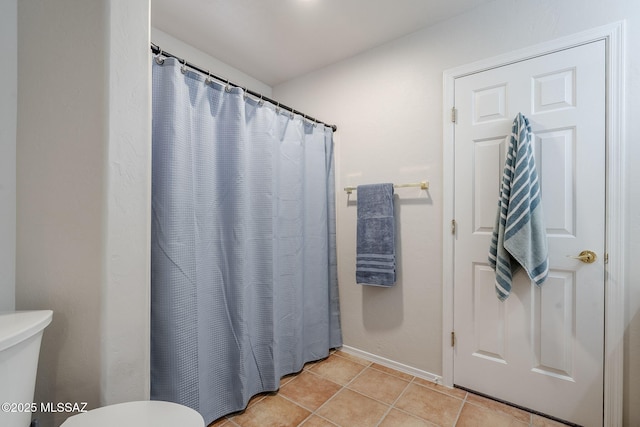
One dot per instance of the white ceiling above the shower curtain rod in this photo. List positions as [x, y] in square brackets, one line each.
[278, 40]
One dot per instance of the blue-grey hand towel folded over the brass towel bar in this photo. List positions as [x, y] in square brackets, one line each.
[376, 252]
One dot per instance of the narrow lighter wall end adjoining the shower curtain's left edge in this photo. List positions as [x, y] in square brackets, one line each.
[127, 227]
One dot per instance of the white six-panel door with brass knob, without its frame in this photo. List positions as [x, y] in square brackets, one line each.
[543, 347]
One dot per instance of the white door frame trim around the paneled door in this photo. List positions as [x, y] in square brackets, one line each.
[613, 34]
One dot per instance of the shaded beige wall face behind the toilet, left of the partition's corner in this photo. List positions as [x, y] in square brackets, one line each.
[60, 190]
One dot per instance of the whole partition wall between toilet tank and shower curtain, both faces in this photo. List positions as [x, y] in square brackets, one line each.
[83, 155]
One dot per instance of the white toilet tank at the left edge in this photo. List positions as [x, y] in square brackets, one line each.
[20, 337]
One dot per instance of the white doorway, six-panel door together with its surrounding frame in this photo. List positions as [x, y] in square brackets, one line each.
[487, 334]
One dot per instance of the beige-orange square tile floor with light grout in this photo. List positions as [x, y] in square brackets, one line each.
[347, 391]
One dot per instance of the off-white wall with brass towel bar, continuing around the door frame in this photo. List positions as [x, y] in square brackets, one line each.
[387, 104]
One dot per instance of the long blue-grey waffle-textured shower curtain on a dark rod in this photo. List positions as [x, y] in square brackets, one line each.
[243, 257]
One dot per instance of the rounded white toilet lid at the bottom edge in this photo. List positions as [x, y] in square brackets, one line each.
[152, 413]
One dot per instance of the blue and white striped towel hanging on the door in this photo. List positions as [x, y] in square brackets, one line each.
[519, 237]
